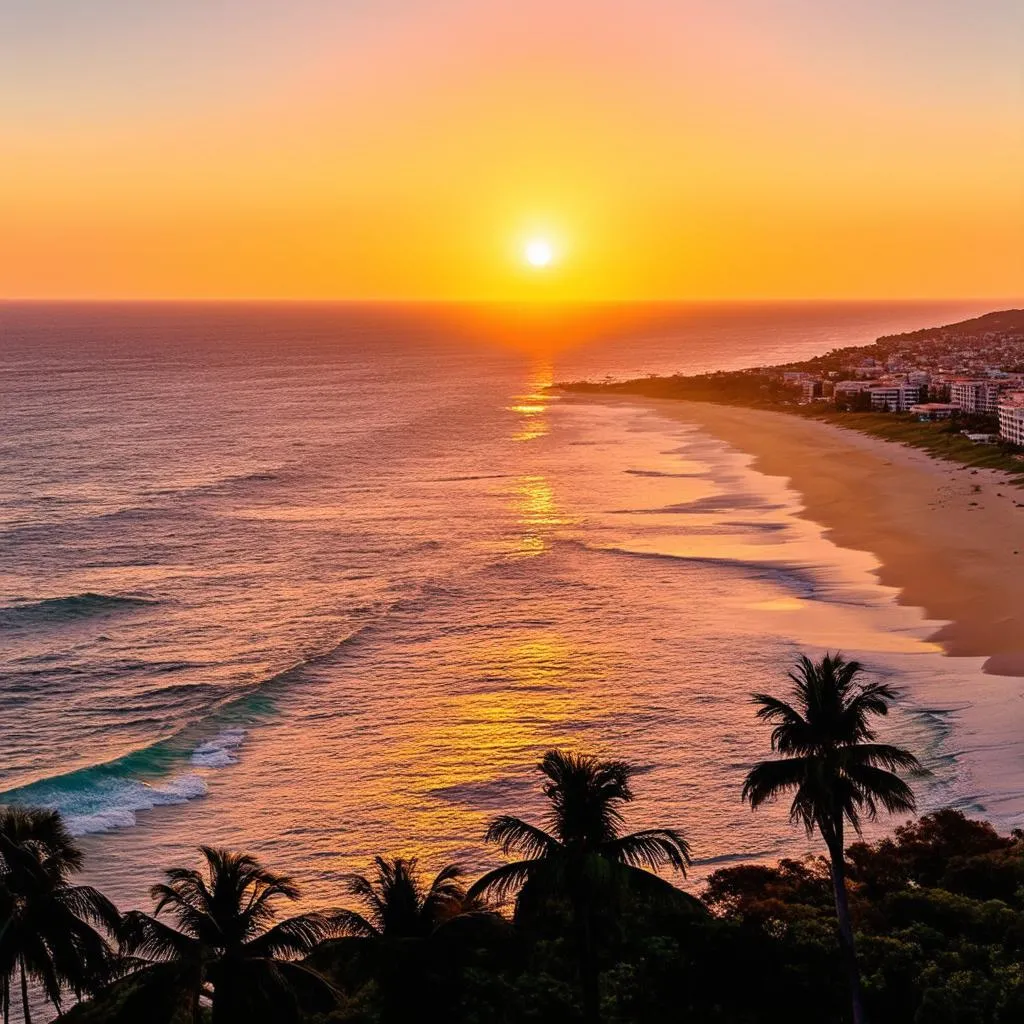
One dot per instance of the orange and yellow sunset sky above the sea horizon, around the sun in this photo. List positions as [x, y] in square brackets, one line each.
[411, 149]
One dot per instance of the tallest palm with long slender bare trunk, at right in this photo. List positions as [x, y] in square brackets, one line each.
[834, 769]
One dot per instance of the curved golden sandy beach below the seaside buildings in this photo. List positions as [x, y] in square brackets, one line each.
[949, 538]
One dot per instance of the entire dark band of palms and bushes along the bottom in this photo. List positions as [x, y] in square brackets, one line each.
[924, 927]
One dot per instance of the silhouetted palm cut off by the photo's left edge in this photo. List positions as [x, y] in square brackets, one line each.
[48, 932]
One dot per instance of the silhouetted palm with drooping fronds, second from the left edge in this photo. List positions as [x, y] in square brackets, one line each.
[226, 946]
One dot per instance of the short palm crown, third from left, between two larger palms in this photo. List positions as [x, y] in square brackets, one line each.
[397, 904]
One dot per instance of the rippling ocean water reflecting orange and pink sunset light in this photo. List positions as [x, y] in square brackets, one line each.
[325, 582]
